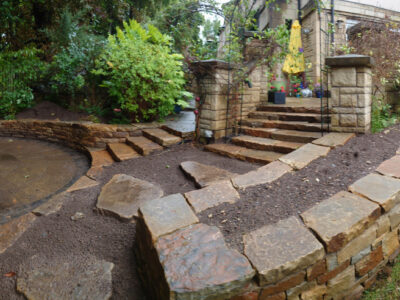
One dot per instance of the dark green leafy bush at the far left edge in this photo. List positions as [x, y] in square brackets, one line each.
[18, 73]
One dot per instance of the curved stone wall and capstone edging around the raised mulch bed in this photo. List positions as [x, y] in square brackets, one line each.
[334, 251]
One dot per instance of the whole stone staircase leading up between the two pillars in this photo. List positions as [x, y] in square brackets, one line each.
[274, 130]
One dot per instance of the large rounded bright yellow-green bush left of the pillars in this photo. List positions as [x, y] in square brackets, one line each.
[140, 72]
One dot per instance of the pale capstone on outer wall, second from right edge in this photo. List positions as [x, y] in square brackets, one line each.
[381, 189]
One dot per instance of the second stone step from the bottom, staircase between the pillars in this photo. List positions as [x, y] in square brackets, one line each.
[265, 144]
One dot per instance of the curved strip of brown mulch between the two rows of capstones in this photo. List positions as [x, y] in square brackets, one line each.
[295, 192]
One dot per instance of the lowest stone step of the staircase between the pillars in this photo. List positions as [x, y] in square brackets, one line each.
[243, 153]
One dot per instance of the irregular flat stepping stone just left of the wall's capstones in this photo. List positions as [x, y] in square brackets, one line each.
[124, 194]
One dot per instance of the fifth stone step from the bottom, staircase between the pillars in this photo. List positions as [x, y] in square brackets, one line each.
[288, 116]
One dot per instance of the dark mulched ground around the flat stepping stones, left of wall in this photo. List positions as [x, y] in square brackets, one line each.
[102, 236]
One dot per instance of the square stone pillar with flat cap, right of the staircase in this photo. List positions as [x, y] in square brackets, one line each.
[351, 92]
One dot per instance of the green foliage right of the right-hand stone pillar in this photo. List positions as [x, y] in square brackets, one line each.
[382, 116]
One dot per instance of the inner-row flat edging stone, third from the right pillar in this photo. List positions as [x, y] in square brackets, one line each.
[263, 175]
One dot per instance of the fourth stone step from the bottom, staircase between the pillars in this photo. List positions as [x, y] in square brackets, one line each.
[291, 125]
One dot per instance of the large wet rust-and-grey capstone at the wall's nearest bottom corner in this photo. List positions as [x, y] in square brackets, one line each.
[198, 264]
